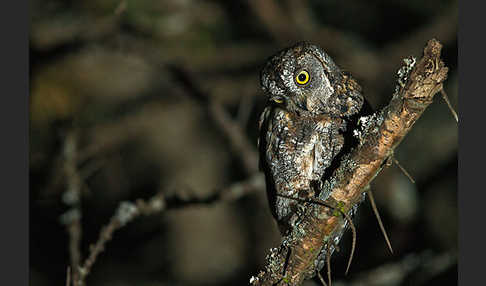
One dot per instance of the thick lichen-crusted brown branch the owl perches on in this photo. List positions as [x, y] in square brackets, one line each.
[382, 132]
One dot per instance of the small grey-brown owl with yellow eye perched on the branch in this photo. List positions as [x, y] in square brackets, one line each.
[304, 129]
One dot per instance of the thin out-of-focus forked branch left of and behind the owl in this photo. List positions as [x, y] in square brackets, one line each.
[128, 211]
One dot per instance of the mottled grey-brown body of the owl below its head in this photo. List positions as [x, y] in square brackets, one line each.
[294, 152]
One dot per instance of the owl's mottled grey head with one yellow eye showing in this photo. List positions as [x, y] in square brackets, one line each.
[304, 79]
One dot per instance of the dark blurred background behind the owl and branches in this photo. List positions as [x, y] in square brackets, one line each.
[104, 69]
